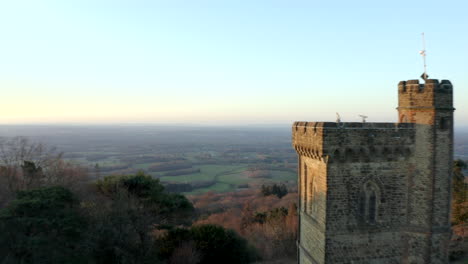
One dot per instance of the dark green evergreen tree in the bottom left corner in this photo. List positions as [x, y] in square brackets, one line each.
[42, 226]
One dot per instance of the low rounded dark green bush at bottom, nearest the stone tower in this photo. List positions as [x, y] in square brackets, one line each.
[214, 243]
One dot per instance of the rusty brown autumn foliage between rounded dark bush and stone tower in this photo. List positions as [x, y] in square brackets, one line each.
[274, 238]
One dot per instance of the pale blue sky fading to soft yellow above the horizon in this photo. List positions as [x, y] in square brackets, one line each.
[222, 62]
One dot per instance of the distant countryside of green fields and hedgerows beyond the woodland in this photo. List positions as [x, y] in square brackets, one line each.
[191, 160]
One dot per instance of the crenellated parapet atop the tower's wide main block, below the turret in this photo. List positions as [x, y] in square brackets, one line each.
[354, 142]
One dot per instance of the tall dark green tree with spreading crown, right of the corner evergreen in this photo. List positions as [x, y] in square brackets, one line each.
[138, 205]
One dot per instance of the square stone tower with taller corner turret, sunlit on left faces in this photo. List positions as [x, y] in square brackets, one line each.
[379, 192]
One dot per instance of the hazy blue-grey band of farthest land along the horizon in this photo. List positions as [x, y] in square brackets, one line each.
[69, 138]
